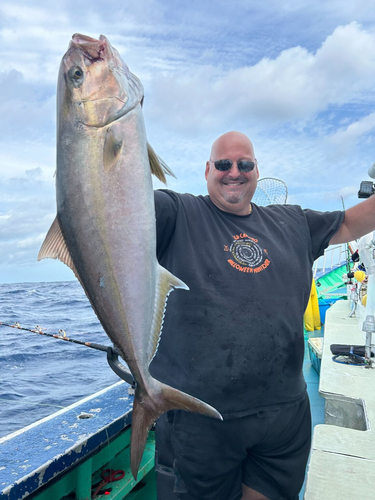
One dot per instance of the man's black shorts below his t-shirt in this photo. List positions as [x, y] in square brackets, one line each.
[199, 458]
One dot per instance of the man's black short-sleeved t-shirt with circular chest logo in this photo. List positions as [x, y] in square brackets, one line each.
[235, 339]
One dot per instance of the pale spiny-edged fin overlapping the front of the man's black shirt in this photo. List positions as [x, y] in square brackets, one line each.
[165, 284]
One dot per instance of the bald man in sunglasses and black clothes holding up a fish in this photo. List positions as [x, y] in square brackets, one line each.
[235, 340]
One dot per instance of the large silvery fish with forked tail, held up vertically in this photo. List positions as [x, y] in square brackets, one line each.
[105, 224]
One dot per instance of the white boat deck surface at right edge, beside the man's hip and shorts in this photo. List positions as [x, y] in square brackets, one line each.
[342, 463]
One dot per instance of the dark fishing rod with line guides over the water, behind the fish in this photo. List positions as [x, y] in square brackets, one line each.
[112, 353]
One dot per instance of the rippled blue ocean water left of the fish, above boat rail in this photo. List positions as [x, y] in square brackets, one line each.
[40, 375]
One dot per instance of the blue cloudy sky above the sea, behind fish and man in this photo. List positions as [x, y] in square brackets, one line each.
[297, 77]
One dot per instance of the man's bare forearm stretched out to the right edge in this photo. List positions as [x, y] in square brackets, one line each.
[359, 220]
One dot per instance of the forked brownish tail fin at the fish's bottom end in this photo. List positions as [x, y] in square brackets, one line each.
[147, 409]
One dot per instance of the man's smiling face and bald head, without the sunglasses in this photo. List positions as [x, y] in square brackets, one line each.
[232, 190]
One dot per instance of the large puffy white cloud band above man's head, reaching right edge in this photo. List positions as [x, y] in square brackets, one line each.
[296, 85]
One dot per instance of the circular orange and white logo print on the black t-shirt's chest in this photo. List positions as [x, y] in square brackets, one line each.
[248, 256]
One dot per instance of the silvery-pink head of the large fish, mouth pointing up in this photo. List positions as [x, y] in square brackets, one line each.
[95, 86]
